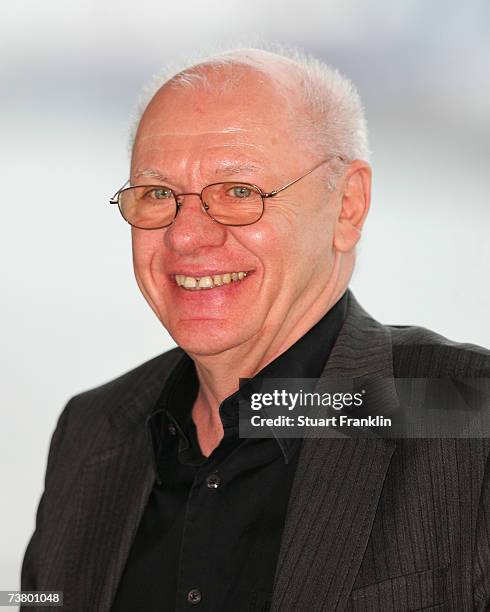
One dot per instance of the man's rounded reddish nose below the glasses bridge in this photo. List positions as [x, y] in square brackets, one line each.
[192, 228]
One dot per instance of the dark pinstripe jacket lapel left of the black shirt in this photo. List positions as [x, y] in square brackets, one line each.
[113, 490]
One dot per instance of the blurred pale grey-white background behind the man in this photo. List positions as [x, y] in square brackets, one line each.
[72, 316]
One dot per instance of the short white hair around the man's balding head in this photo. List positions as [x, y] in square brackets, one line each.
[333, 123]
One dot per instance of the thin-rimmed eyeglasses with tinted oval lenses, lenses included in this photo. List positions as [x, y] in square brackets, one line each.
[229, 203]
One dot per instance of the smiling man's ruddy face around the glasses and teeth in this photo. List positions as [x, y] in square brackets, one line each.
[194, 138]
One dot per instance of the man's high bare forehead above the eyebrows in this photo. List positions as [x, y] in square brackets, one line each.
[249, 110]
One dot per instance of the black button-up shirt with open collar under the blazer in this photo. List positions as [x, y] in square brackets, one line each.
[210, 534]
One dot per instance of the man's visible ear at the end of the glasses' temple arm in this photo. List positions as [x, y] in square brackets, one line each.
[355, 194]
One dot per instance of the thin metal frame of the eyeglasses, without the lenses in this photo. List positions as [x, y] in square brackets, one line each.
[205, 207]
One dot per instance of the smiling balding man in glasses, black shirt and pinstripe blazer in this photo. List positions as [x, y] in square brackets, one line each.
[248, 191]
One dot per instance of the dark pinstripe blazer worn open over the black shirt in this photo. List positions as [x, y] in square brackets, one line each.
[372, 524]
